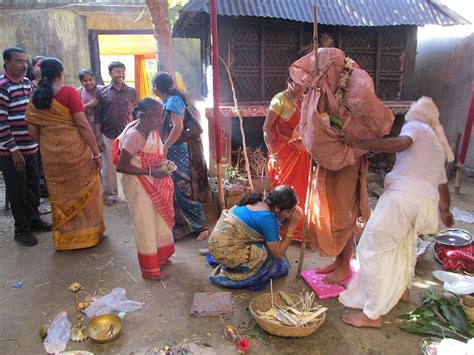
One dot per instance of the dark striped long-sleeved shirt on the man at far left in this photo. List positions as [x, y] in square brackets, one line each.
[14, 97]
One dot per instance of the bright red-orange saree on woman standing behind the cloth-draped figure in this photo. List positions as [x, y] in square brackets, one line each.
[294, 161]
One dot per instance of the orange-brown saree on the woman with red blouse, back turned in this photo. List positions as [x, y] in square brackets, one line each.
[74, 185]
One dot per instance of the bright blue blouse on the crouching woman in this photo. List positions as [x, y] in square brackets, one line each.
[264, 222]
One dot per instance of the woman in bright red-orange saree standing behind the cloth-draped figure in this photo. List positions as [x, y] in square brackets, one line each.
[289, 162]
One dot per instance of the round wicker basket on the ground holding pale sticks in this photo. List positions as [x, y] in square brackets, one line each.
[264, 302]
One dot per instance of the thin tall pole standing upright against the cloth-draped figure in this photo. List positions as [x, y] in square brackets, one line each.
[309, 191]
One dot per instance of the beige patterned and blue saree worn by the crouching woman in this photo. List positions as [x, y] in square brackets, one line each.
[244, 259]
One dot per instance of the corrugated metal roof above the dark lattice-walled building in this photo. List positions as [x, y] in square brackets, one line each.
[334, 12]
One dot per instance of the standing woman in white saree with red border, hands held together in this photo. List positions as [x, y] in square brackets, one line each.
[149, 190]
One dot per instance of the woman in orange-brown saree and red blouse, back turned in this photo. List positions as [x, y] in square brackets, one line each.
[71, 160]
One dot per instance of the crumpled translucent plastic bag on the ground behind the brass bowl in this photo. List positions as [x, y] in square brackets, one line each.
[114, 301]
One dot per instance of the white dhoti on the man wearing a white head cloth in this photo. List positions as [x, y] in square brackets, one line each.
[387, 251]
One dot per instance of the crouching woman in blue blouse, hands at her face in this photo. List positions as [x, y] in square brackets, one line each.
[245, 241]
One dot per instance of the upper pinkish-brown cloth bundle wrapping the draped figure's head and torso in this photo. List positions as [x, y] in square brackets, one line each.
[353, 101]
